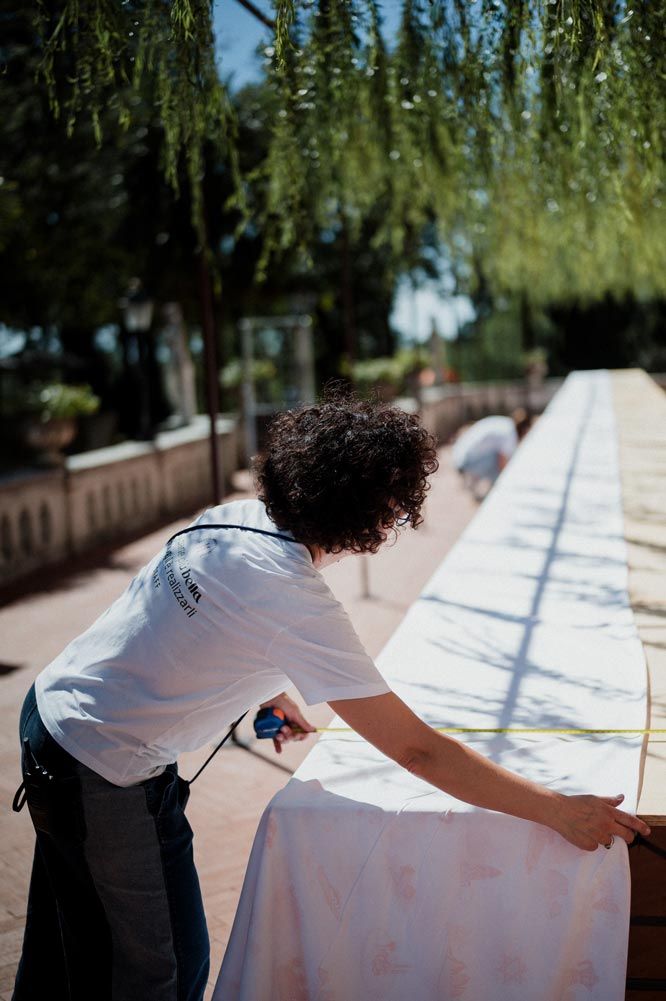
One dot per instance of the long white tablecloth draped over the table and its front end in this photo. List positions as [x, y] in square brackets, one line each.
[365, 882]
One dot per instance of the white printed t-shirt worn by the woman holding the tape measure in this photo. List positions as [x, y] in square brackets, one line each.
[220, 621]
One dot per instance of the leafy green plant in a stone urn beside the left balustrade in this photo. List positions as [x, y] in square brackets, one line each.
[51, 414]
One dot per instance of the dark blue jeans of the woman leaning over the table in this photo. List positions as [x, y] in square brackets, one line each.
[115, 910]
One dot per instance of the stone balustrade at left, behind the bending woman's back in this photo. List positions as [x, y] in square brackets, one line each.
[107, 495]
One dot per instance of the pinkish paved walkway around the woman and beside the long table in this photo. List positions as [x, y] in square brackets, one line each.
[229, 799]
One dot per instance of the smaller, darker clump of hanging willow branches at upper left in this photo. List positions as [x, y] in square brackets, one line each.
[102, 54]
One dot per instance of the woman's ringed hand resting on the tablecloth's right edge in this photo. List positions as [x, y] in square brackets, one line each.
[590, 821]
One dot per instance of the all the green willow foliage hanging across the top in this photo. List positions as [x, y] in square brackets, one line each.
[531, 133]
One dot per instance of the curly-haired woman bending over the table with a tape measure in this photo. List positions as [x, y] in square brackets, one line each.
[223, 619]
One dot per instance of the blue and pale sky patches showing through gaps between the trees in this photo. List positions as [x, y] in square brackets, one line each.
[238, 36]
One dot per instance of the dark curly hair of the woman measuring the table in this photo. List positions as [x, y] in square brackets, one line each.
[339, 474]
